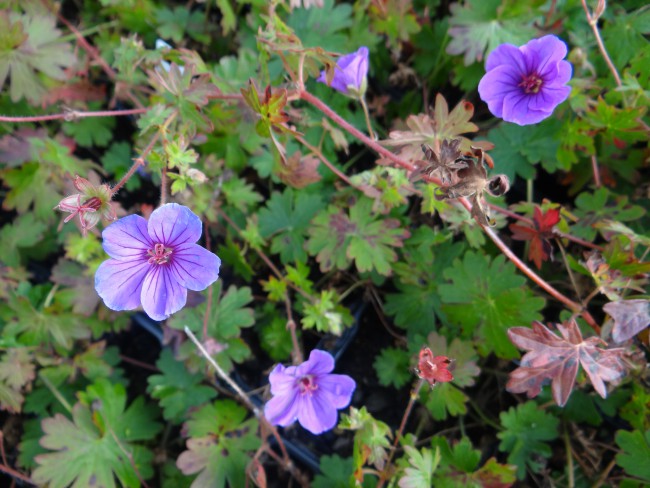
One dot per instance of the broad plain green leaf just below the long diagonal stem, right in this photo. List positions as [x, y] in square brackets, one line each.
[486, 298]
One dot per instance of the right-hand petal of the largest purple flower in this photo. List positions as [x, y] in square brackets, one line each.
[194, 267]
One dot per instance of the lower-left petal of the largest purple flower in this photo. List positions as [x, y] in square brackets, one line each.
[119, 282]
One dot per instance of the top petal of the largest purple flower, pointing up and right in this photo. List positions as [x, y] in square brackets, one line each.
[173, 225]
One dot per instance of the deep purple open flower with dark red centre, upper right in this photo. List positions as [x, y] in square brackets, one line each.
[524, 84]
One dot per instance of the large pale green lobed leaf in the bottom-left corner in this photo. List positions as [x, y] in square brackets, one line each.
[97, 445]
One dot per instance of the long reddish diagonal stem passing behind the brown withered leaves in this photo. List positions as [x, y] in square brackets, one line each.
[573, 306]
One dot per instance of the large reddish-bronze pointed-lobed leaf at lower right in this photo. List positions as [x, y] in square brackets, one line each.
[555, 358]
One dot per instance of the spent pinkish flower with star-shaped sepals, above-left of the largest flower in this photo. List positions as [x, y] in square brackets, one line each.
[91, 204]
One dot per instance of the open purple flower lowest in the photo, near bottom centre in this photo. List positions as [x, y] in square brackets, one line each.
[308, 393]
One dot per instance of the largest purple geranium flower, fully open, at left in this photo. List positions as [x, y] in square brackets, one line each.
[154, 263]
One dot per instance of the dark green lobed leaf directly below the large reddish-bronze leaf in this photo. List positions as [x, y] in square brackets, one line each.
[526, 430]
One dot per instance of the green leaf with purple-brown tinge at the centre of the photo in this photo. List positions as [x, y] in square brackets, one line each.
[337, 238]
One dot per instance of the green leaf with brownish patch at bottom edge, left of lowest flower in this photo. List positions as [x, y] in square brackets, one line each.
[220, 445]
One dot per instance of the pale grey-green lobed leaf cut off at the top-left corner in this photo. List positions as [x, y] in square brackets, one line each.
[29, 45]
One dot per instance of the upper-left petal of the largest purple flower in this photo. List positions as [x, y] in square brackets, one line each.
[127, 238]
